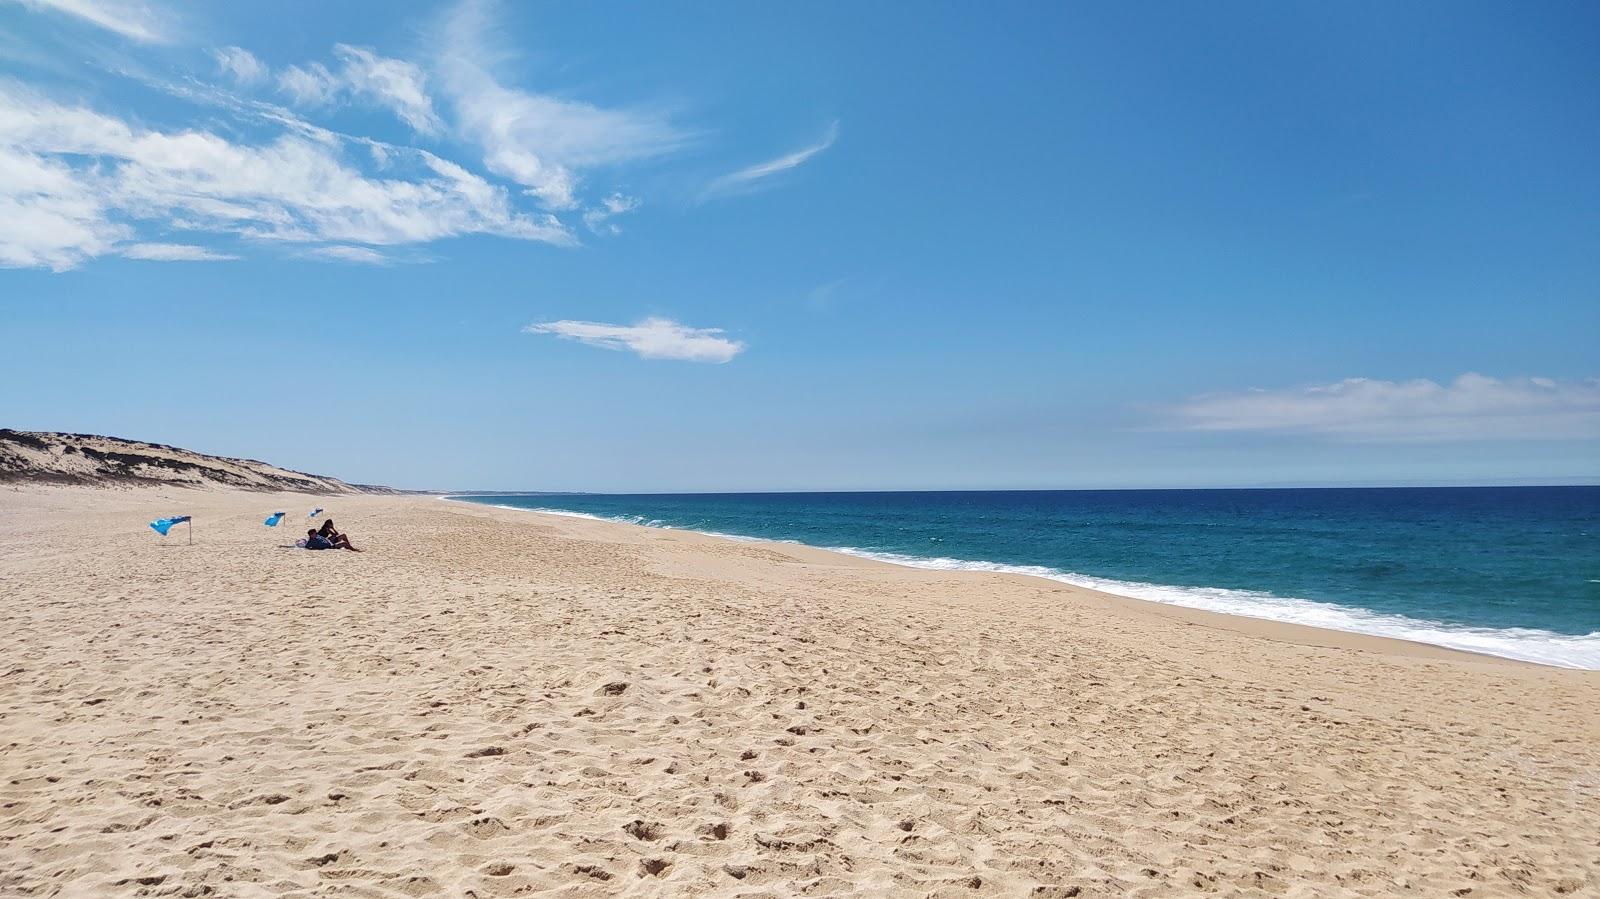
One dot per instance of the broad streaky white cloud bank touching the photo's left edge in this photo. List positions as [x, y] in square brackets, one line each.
[73, 182]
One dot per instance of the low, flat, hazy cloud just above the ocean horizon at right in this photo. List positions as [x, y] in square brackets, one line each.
[1471, 407]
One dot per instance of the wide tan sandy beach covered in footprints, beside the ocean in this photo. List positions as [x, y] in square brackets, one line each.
[495, 703]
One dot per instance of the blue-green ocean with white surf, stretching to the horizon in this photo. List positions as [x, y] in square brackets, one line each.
[1508, 572]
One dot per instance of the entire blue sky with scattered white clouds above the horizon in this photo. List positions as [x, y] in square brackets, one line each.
[753, 247]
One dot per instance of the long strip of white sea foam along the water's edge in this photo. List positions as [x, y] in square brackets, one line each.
[1526, 644]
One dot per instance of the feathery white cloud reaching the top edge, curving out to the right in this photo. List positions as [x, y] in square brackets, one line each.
[537, 140]
